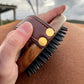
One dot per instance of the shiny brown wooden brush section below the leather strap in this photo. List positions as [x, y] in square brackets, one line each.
[28, 57]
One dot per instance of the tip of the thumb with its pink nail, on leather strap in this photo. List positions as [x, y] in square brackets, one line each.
[25, 27]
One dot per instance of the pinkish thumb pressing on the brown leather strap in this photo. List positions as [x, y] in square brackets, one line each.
[14, 41]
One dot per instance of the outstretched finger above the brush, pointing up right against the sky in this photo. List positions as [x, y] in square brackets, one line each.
[48, 16]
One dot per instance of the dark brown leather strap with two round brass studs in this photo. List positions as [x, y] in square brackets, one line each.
[42, 31]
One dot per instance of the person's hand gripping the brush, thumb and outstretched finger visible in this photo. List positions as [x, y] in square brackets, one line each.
[14, 42]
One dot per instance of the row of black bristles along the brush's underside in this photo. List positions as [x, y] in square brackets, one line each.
[47, 52]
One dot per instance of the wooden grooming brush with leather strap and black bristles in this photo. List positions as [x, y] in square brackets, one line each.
[42, 44]
